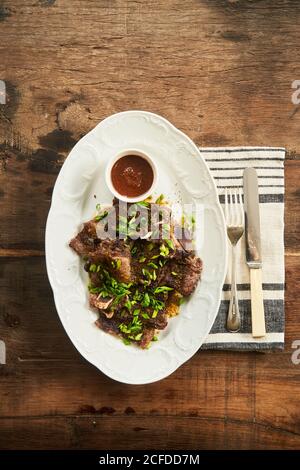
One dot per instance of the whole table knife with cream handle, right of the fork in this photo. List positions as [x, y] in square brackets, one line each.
[253, 251]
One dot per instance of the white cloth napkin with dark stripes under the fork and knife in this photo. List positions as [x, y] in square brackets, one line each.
[227, 165]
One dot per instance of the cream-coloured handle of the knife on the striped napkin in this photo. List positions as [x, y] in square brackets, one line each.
[257, 304]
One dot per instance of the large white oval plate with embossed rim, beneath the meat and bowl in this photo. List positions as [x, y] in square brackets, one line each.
[183, 177]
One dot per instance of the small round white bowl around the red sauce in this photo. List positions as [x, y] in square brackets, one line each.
[115, 159]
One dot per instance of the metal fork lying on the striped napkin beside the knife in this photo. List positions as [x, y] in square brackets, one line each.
[234, 215]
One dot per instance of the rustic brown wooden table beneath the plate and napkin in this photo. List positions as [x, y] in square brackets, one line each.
[221, 71]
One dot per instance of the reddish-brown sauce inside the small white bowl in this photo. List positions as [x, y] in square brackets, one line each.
[132, 176]
